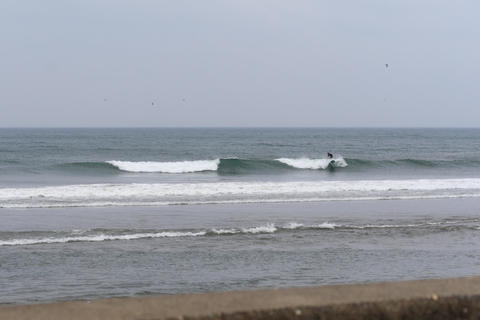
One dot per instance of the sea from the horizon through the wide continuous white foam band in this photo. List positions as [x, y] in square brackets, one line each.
[120, 167]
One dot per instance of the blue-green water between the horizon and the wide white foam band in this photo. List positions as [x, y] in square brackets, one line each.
[46, 156]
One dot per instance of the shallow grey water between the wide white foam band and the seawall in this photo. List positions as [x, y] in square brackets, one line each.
[184, 249]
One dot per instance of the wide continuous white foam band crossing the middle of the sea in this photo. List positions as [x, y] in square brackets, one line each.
[234, 192]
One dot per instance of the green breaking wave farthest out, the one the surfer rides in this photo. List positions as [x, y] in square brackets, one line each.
[238, 166]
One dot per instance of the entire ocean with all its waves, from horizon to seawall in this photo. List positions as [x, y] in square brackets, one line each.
[95, 213]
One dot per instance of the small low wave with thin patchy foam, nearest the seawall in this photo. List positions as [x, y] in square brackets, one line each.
[32, 238]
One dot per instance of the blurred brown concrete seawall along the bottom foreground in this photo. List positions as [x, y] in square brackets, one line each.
[457, 298]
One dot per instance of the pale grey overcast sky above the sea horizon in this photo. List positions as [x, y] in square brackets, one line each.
[239, 63]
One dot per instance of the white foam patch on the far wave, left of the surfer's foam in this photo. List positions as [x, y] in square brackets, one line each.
[167, 167]
